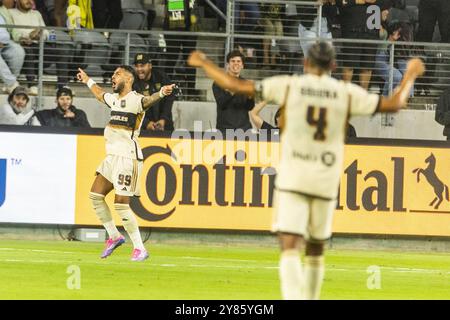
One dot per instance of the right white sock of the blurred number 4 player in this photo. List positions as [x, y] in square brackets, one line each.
[314, 273]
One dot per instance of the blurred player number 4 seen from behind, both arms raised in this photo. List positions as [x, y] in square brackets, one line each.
[312, 142]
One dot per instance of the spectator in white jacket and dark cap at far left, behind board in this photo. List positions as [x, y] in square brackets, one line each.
[17, 110]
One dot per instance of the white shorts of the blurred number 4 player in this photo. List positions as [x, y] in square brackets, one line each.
[303, 215]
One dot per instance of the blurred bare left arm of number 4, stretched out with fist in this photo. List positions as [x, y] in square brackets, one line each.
[198, 59]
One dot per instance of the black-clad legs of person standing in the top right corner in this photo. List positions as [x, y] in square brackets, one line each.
[430, 12]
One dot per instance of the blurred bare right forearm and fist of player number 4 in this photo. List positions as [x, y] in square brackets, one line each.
[399, 99]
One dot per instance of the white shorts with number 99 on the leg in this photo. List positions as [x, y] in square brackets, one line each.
[123, 173]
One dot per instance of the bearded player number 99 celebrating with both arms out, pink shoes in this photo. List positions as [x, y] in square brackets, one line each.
[121, 168]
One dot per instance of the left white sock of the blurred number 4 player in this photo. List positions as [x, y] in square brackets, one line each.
[291, 276]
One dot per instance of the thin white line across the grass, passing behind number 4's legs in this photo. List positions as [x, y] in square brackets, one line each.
[108, 263]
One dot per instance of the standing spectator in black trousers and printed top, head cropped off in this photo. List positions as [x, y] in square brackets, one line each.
[179, 47]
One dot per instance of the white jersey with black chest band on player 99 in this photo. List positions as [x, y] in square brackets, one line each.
[123, 128]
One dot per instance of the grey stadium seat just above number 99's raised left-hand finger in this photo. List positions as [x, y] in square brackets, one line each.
[91, 50]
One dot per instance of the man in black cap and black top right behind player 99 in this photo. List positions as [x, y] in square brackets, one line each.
[159, 116]
